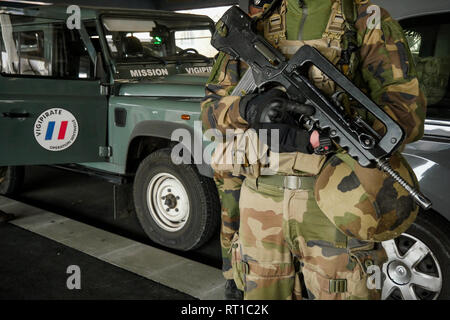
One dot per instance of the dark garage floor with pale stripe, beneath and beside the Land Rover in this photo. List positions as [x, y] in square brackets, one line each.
[121, 267]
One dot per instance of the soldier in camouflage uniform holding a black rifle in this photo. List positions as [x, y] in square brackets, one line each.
[316, 223]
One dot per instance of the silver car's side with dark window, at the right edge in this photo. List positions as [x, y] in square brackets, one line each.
[429, 40]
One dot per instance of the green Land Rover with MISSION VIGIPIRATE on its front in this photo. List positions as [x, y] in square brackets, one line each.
[102, 91]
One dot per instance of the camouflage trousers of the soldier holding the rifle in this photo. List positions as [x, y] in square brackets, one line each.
[286, 245]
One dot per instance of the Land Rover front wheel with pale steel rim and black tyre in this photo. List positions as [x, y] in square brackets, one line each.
[176, 206]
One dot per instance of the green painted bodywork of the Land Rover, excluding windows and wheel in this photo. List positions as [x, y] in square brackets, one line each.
[157, 99]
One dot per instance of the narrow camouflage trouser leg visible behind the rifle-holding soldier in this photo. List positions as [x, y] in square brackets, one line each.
[229, 188]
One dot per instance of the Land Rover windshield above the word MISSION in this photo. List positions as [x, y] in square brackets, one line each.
[137, 40]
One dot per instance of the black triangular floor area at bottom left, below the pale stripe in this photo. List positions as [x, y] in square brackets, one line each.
[38, 271]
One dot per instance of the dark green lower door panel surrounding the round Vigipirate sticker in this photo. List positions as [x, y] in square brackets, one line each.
[34, 96]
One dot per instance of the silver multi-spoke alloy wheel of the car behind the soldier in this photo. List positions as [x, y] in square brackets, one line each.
[418, 261]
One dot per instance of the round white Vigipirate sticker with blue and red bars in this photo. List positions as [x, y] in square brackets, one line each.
[56, 129]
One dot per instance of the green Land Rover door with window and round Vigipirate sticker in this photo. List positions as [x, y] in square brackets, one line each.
[52, 110]
